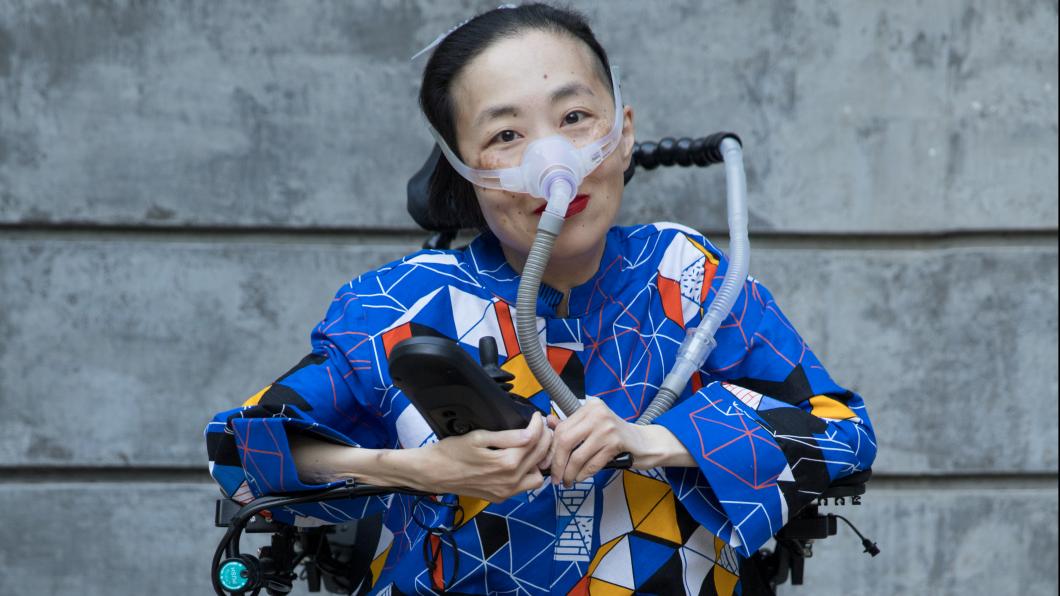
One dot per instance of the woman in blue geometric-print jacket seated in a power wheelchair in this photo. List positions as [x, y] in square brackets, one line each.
[761, 431]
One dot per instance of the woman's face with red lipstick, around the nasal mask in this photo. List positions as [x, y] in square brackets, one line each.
[523, 89]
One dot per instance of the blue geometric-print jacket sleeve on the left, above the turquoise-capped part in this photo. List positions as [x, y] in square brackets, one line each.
[248, 447]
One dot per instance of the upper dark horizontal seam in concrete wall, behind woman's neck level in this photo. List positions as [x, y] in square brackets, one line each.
[413, 238]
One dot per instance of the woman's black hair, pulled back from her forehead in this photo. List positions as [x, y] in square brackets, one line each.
[452, 199]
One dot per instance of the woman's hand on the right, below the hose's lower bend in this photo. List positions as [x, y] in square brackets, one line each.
[587, 442]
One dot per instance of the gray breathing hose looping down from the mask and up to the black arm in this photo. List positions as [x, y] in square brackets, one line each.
[697, 346]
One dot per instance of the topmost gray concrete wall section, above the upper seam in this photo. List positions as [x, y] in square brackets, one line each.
[281, 114]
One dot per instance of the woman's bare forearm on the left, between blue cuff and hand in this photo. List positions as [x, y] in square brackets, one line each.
[320, 462]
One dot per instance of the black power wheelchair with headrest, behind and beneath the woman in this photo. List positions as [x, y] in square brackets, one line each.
[337, 558]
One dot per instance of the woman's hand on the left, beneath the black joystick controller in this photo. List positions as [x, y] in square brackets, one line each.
[494, 466]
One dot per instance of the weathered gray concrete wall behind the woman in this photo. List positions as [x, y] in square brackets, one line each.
[183, 186]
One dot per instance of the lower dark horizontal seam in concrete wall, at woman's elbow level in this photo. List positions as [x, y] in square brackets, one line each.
[179, 475]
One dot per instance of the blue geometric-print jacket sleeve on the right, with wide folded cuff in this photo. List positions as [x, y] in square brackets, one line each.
[766, 424]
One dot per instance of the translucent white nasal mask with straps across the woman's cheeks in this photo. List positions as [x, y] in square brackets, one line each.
[553, 167]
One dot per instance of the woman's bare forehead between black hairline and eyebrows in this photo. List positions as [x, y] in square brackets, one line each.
[526, 71]
